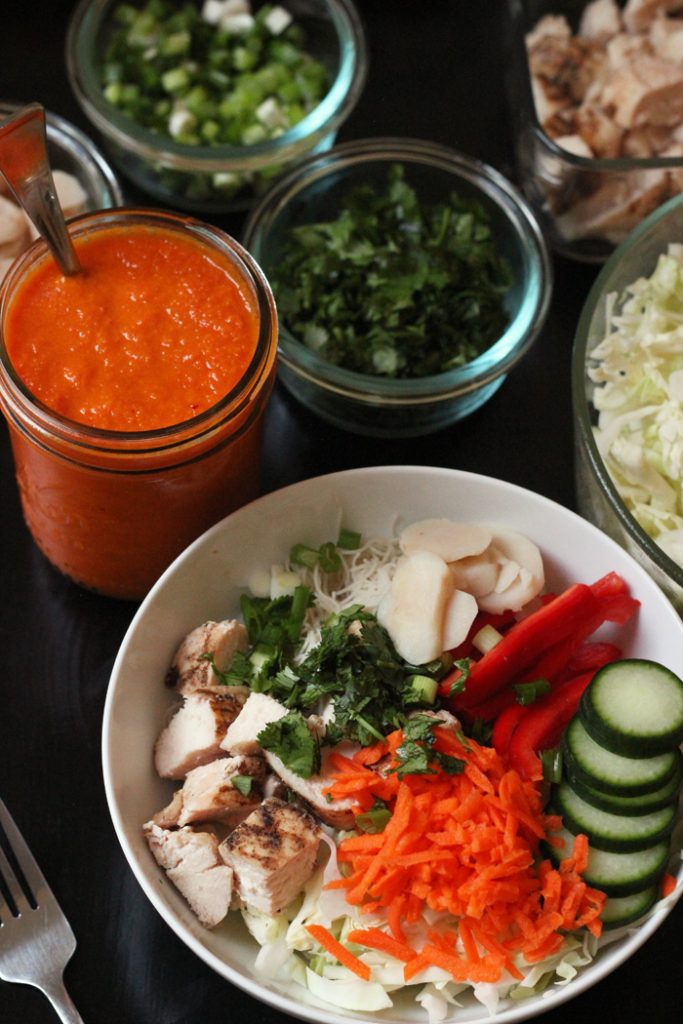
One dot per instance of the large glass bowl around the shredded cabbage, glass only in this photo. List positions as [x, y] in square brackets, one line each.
[599, 498]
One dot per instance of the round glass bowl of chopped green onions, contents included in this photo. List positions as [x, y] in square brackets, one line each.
[202, 104]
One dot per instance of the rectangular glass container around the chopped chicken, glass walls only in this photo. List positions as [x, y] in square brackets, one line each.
[586, 205]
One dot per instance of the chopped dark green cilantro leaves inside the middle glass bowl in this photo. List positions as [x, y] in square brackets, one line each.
[417, 289]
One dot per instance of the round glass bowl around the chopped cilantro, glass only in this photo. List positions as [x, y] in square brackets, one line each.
[387, 407]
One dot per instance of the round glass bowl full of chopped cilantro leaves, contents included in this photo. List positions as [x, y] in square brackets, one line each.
[409, 281]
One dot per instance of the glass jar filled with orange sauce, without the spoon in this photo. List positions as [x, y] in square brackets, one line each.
[160, 331]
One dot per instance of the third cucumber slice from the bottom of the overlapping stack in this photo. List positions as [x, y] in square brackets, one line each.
[613, 832]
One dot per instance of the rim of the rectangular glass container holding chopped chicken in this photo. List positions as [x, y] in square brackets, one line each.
[613, 164]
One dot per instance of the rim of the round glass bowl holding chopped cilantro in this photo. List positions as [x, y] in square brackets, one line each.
[489, 366]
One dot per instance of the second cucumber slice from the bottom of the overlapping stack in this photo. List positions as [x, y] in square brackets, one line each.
[618, 874]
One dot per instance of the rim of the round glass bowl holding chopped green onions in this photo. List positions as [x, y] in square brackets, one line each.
[322, 121]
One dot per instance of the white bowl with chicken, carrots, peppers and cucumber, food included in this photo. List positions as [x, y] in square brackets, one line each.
[323, 780]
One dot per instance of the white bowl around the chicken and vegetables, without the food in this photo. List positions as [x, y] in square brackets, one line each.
[205, 583]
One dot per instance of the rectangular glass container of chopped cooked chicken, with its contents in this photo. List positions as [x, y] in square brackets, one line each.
[599, 116]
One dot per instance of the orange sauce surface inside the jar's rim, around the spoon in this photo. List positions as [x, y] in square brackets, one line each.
[155, 331]
